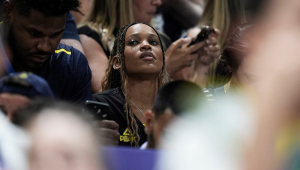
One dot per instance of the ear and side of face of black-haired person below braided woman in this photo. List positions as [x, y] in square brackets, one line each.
[155, 126]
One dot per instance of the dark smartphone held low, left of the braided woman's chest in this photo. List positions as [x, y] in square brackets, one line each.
[99, 110]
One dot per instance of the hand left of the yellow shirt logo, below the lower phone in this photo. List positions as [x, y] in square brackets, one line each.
[109, 132]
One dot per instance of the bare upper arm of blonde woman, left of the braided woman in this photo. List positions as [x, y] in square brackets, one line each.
[97, 59]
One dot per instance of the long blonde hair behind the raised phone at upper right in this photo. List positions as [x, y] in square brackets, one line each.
[224, 15]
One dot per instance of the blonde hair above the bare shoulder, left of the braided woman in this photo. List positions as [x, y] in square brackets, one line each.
[105, 16]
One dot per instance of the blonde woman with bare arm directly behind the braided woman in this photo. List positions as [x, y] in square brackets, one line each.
[100, 26]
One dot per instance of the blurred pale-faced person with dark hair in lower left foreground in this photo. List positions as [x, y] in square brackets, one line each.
[62, 137]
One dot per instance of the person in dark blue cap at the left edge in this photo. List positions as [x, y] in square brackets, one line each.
[18, 89]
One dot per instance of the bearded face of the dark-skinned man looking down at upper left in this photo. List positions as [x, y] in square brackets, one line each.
[34, 38]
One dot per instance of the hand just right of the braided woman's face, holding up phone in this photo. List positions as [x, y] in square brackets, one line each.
[179, 56]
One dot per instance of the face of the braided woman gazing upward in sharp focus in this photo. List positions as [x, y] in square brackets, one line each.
[142, 52]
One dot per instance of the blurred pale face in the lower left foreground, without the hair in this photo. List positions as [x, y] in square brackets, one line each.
[62, 142]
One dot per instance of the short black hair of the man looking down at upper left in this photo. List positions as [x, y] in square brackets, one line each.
[47, 7]
